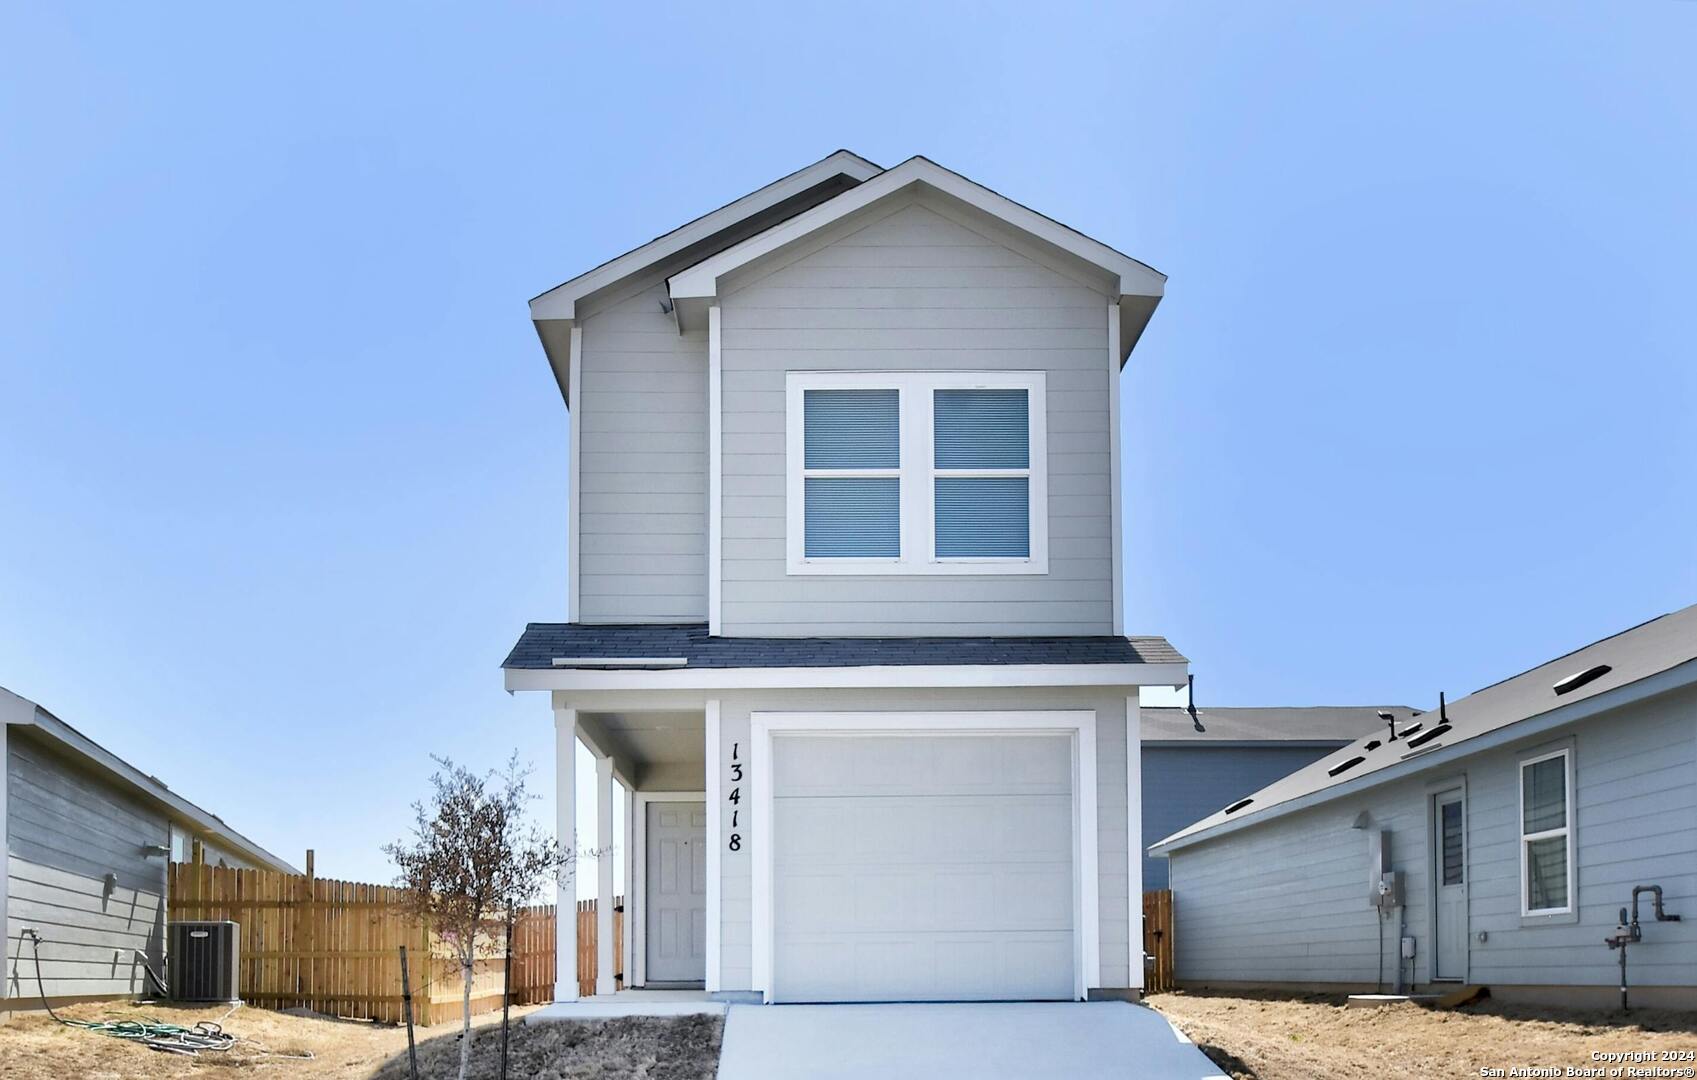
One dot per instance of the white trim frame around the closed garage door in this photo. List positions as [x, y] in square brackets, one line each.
[1087, 886]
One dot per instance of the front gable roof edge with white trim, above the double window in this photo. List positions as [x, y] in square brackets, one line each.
[1138, 286]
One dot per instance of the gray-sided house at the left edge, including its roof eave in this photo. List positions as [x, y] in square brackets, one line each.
[89, 838]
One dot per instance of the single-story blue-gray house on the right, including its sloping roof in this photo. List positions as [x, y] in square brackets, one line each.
[1518, 819]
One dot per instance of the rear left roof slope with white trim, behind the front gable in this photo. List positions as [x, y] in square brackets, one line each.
[556, 312]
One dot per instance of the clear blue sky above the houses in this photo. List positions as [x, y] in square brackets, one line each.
[284, 470]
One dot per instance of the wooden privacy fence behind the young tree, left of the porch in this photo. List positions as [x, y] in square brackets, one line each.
[335, 947]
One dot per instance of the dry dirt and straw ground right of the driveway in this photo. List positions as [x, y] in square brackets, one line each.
[1316, 1038]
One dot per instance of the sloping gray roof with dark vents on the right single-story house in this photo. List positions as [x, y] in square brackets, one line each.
[1633, 665]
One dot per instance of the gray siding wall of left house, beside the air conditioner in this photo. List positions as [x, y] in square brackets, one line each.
[65, 833]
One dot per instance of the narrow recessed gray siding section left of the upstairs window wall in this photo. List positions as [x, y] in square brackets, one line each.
[642, 407]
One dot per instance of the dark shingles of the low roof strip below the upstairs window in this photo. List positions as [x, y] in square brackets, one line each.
[542, 643]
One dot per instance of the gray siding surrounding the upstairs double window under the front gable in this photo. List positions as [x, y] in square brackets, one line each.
[916, 291]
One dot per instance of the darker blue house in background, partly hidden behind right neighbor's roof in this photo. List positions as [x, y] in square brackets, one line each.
[1204, 760]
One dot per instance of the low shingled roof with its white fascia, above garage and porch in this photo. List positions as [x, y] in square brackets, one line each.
[688, 655]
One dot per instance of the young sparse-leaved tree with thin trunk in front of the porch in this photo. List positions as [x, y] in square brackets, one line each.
[473, 860]
